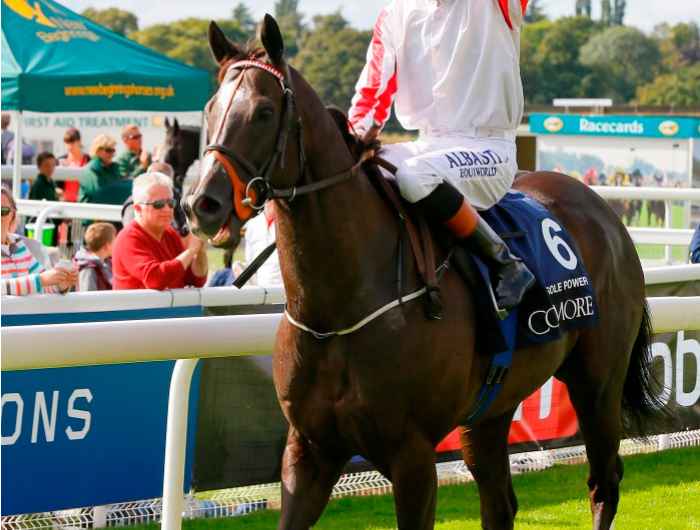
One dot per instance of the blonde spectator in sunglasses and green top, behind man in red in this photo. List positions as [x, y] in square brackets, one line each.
[102, 182]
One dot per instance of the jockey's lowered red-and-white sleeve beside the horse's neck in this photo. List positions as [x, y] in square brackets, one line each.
[376, 87]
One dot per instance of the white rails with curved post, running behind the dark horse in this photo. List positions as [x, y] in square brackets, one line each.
[60, 345]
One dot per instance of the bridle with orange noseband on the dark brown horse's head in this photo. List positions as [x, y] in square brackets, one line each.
[250, 196]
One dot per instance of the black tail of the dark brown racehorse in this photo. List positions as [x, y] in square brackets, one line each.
[640, 401]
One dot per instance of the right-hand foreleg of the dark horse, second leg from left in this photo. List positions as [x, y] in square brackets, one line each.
[413, 475]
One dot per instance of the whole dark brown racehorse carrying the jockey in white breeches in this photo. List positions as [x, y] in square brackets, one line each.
[392, 389]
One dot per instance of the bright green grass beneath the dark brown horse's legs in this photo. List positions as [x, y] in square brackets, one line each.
[661, 491]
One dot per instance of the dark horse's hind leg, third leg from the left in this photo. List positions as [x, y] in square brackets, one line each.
[485, 451]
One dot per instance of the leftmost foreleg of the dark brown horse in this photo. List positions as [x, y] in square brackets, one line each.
[308, 477]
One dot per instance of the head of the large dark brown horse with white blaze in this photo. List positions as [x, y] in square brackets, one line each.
[252, 136]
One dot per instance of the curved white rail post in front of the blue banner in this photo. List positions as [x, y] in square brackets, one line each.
[176, 444]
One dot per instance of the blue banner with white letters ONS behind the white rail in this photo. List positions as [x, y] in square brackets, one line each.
[88, 436]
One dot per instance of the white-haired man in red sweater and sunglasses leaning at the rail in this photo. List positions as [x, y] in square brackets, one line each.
[148, 252]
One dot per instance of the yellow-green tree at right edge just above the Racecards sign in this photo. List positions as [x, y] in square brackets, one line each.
[679, 89]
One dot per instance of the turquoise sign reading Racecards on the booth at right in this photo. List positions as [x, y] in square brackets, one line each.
[626, 126]
